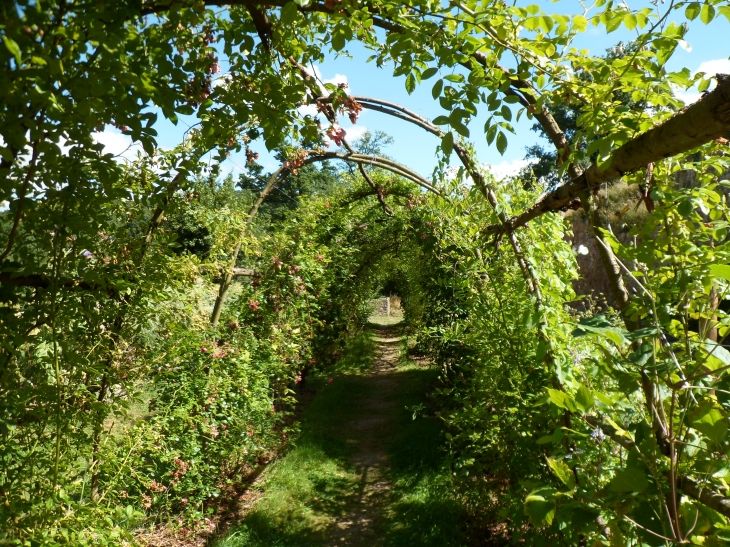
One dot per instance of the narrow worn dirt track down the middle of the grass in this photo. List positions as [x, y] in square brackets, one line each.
[362, 524]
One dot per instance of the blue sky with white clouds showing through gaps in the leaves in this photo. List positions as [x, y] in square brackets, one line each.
[710, 49]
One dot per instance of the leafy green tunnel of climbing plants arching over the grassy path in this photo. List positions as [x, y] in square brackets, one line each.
[136, 378]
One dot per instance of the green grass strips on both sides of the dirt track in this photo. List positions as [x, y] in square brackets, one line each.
[316, 483]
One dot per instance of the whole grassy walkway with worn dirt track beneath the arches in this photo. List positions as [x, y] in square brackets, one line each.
[363, 471]
